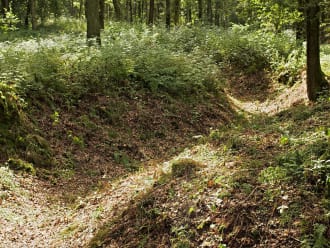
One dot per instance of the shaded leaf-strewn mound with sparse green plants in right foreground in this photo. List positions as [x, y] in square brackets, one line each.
[267, 184]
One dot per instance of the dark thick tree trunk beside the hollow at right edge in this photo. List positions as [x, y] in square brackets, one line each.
[315, 77]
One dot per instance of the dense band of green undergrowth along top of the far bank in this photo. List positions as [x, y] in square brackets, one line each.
[181, 63]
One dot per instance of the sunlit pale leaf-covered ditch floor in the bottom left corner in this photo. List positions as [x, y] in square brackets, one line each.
[31, 219]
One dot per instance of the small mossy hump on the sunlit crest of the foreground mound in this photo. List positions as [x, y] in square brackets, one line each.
[185, 167]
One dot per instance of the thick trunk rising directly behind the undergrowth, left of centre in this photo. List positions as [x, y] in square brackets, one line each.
[93, 20]
